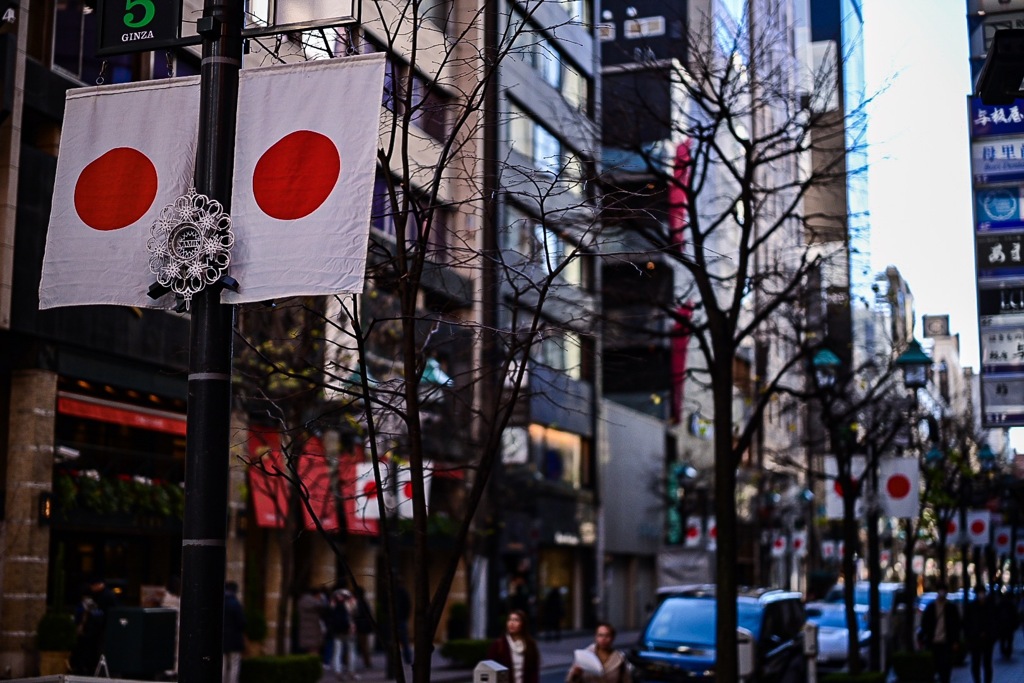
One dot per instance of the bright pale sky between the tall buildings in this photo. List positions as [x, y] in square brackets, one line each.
[920, 180]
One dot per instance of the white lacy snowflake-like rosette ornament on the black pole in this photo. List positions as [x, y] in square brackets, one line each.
[190, 247]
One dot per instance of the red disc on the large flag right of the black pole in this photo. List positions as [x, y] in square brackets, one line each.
[296, 176]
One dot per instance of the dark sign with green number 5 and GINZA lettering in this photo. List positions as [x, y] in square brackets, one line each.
[136, 26]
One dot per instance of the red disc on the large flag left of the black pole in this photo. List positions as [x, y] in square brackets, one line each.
[116, 190]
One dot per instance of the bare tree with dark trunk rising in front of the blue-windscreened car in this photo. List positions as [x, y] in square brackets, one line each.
[723, 194]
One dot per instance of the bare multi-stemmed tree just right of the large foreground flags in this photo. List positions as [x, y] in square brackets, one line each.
[439, 349]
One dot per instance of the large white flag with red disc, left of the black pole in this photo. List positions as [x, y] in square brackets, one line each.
[126, 151]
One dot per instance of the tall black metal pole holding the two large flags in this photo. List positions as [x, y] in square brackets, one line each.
[205, 529]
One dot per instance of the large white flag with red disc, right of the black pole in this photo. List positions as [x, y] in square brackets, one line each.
[305, 166]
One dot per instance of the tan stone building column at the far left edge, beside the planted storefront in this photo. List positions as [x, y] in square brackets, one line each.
[24, 543]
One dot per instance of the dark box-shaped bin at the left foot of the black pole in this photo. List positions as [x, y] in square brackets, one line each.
[140, 642]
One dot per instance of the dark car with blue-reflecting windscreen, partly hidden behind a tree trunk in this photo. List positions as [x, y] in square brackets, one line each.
[678, 642]
